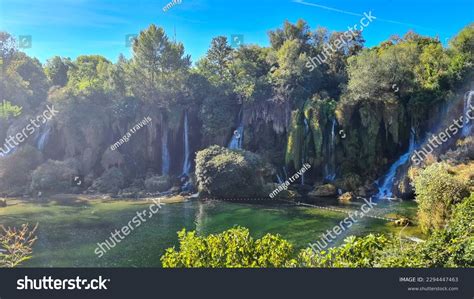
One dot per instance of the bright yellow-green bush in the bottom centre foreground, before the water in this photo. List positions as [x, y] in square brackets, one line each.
[234, 248]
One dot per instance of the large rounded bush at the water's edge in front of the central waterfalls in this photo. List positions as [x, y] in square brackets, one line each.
[228, 173]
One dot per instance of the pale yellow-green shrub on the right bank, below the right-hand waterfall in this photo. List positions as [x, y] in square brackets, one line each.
[436, 191]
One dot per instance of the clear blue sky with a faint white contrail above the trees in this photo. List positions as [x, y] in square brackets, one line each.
[75, 27]
